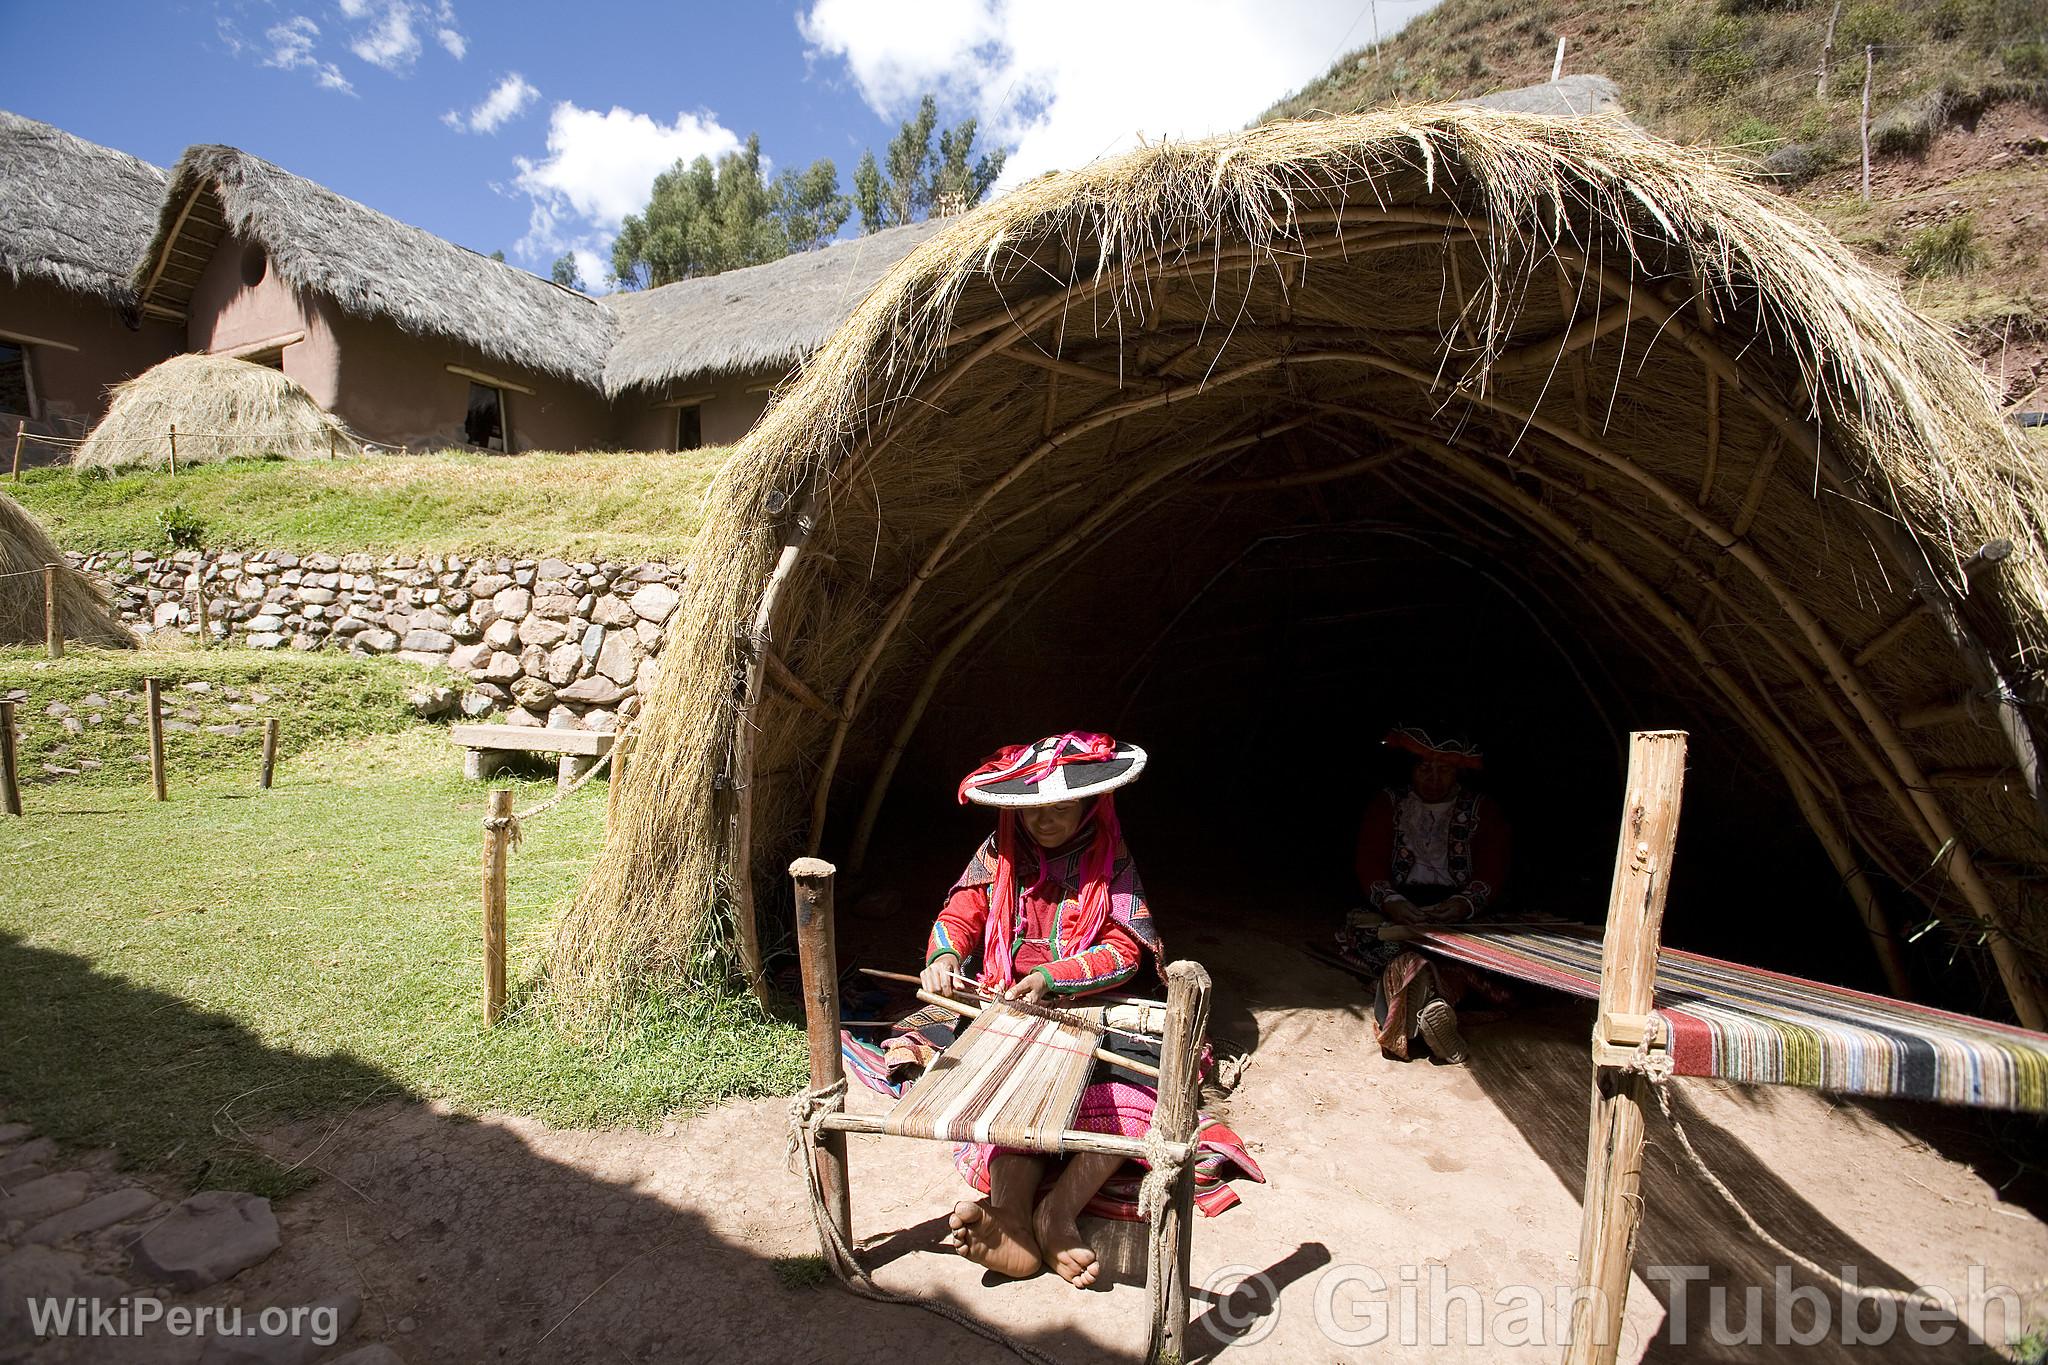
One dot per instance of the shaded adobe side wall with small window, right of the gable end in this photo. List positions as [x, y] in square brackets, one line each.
[396, 390]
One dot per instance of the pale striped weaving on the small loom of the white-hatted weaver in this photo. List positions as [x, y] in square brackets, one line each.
[1011, 1080]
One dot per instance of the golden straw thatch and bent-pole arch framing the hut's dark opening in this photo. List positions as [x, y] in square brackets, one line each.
[1588, 351]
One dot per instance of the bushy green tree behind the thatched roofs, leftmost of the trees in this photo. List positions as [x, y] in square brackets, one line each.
[701, 220]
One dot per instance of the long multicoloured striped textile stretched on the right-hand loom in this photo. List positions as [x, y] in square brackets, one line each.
[1746, 1024]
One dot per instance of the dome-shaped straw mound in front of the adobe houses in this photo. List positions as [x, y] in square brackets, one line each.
[222, 410]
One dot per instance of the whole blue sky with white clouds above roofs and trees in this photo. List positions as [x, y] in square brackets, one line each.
[534, 128]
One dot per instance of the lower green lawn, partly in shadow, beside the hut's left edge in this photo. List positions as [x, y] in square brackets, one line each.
[177, 977]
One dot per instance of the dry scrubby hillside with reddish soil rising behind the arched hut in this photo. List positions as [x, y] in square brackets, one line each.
[1959, 101]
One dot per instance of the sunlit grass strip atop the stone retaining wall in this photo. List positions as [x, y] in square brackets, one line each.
[634, 504]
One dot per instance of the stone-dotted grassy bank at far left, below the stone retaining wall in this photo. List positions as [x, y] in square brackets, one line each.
[85, 713]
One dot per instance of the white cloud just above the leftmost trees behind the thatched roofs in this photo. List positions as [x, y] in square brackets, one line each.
[599, 167]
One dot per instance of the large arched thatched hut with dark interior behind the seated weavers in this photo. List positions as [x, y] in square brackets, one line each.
[1254, 445]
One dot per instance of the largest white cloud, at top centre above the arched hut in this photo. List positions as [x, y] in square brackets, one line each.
[1070, 81]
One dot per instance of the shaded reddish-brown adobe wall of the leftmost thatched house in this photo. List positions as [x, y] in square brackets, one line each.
[71, 386]
